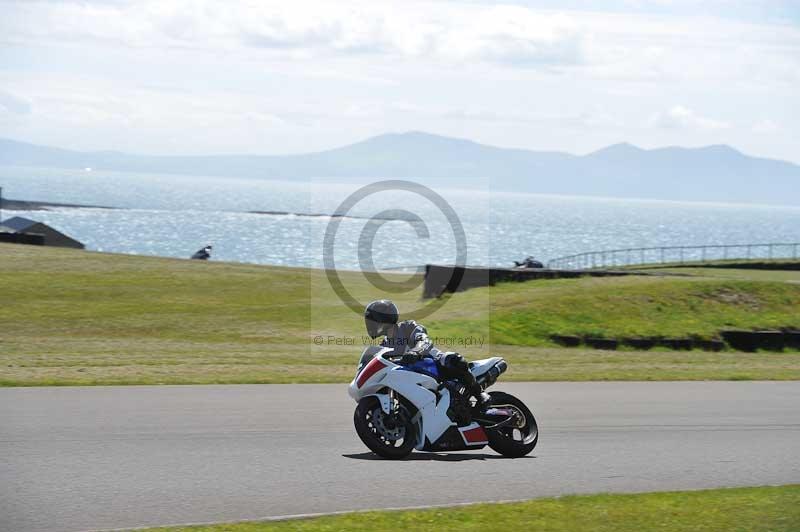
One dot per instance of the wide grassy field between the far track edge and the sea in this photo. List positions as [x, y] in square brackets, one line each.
[75, 317]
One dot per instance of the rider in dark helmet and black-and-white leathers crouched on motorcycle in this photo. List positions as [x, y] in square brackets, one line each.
[410, 340]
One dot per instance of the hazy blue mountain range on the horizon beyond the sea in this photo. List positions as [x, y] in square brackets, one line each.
[712, 173]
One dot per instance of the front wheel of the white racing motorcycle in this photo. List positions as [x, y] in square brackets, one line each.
[387, 435]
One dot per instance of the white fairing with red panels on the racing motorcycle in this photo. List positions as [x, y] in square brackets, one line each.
[423, 391]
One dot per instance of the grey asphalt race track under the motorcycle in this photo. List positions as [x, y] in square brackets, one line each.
[117, 457]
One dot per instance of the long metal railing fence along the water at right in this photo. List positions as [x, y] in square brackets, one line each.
[674, 254]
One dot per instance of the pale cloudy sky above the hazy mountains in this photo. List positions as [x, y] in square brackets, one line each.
[201, 77]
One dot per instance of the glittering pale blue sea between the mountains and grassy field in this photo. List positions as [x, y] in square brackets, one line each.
[390, 226]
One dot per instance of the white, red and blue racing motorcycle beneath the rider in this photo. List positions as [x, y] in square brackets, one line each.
[402, 408]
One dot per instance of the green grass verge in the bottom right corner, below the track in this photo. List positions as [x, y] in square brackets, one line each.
[724, 510]
